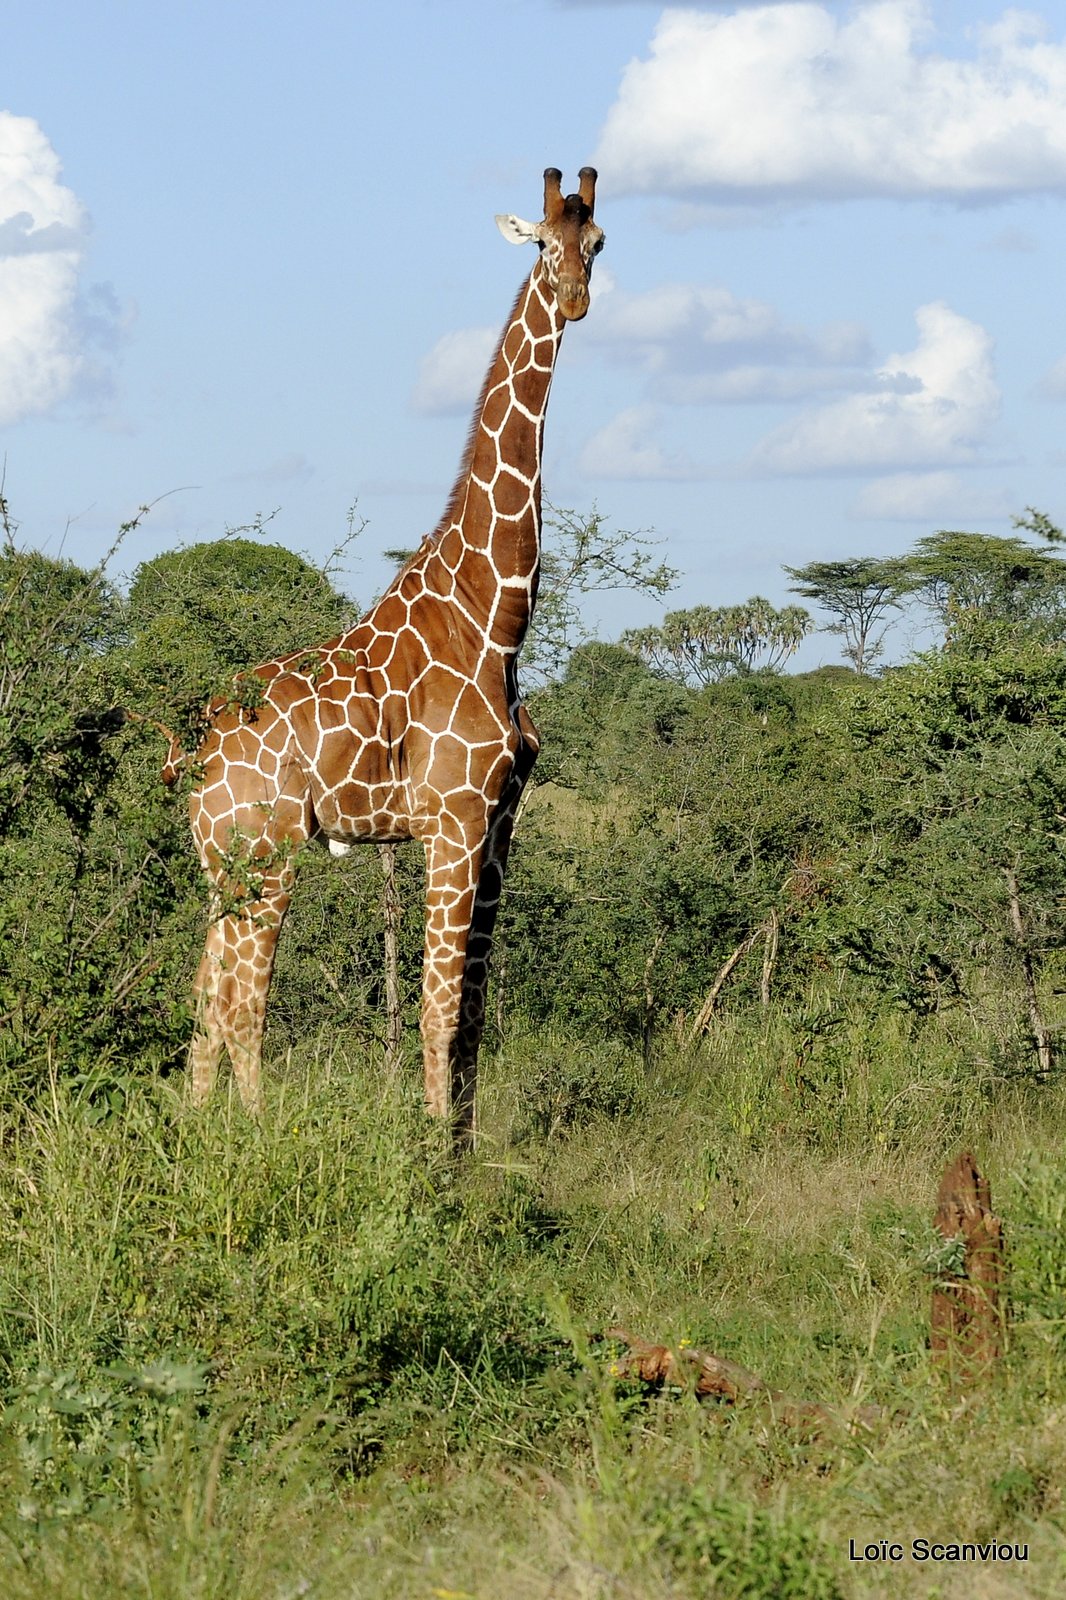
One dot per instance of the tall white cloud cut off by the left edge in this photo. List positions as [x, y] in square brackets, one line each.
[42, 239]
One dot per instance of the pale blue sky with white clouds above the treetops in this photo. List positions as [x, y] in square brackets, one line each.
[249, 263]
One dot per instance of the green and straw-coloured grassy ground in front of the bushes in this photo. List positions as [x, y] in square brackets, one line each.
[318, 1359]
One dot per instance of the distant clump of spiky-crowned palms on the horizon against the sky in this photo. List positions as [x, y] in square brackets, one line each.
[707, 644]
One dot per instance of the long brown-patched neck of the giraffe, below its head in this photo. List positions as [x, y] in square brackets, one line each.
[491, 537]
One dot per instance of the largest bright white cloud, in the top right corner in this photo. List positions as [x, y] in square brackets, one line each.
[804, 102]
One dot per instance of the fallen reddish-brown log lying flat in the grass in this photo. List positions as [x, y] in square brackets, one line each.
[710, 1375]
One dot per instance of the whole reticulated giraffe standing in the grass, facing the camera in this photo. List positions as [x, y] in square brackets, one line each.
[409, 726]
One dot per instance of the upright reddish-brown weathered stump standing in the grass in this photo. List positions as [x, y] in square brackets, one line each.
[968, 1319]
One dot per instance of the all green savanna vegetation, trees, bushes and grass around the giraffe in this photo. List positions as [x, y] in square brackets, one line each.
[774, 948]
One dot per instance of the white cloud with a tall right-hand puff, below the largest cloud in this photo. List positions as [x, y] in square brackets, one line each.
[936, 407]
